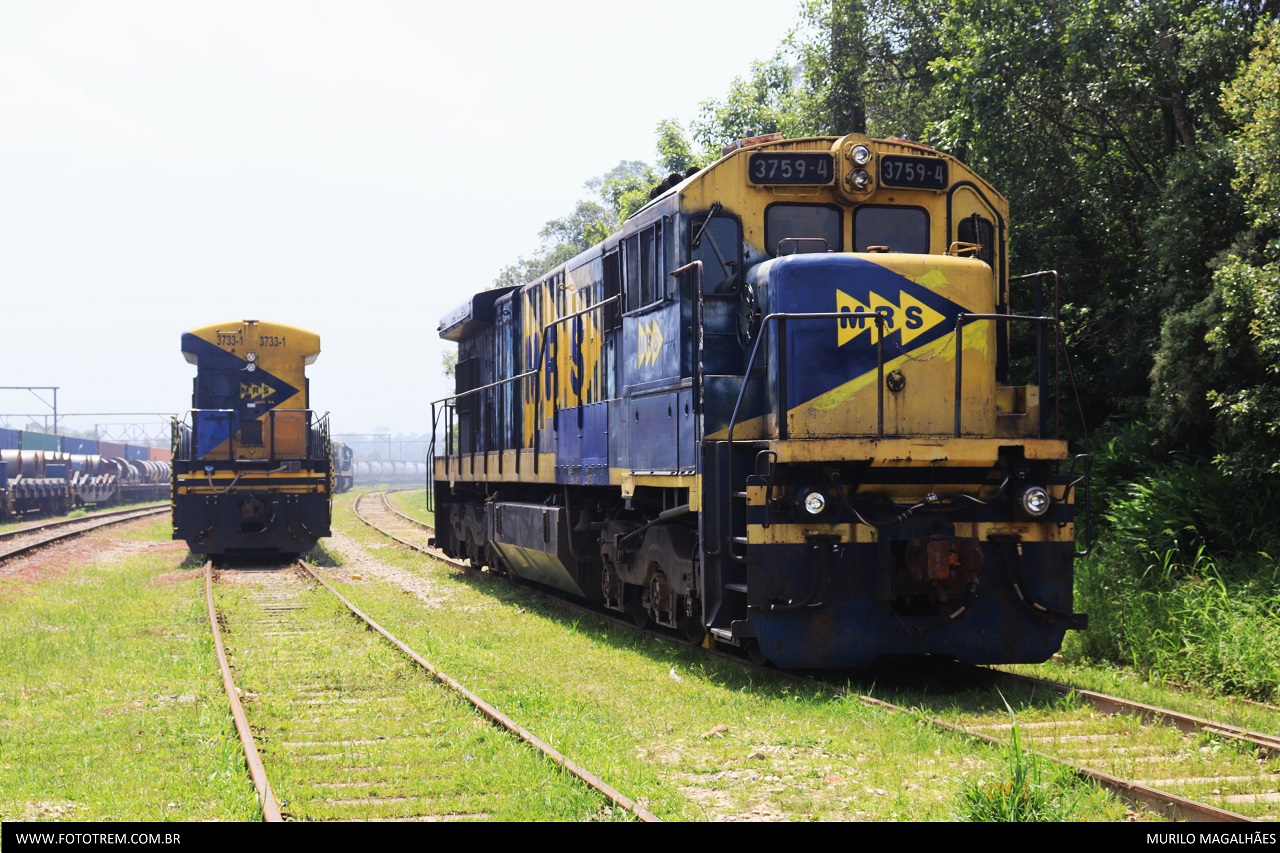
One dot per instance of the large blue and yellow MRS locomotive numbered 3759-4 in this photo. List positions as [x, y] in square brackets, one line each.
[792, 407]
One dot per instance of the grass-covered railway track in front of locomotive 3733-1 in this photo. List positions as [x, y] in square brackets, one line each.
[353, 727]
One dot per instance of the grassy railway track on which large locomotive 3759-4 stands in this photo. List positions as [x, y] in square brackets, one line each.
[1181, 767]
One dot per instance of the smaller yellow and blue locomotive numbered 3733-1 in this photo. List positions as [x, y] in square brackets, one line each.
[253, 463]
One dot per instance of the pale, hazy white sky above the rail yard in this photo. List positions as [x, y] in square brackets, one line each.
[353, 168]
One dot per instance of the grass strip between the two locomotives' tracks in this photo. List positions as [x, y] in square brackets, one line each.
[692, 738]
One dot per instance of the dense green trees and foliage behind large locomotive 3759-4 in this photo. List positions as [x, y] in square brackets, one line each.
[1139, 143]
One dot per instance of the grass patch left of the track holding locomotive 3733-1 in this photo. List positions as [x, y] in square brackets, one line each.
[112, 708]
